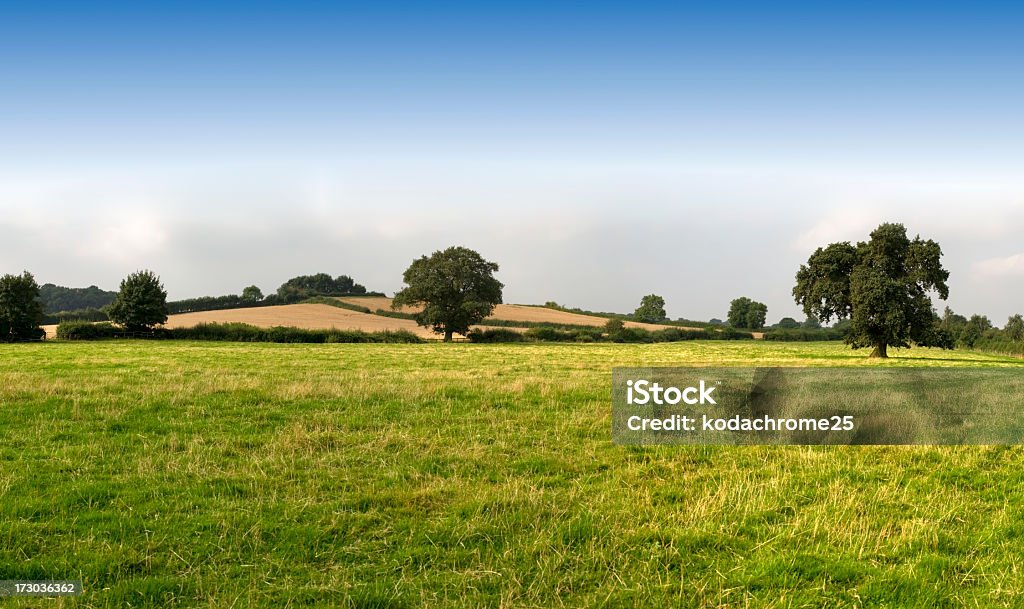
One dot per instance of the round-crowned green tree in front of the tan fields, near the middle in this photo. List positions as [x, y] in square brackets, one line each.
[457, 289]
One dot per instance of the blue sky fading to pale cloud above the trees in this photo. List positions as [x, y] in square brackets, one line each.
[699, 153]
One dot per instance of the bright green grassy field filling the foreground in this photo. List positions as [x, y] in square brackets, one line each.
[228, 475]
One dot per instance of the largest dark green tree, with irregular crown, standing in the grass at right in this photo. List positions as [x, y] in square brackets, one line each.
[882, 286]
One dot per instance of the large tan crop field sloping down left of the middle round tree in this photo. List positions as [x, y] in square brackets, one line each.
[313, 317]
